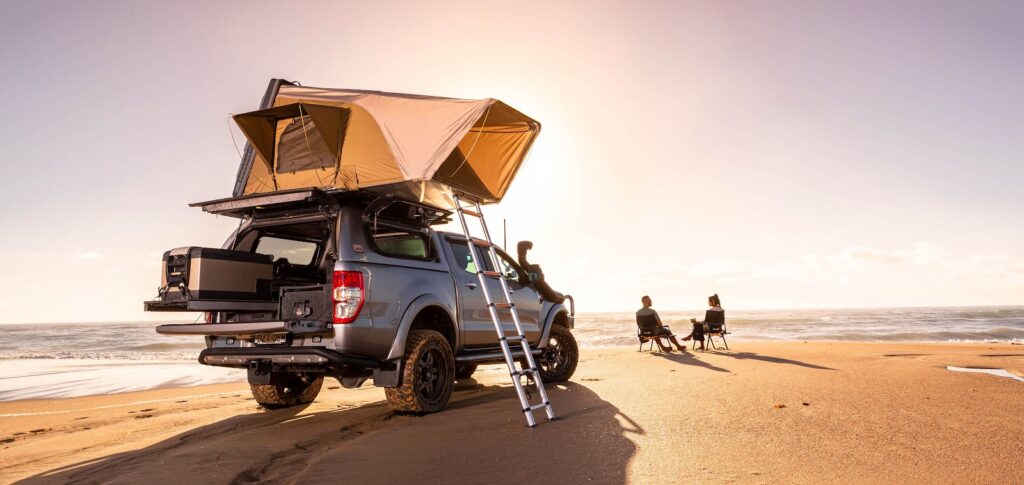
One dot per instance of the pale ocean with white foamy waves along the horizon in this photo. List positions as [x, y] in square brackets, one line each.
[55, 361]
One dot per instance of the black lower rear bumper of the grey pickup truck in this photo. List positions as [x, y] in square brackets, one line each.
[240, 358]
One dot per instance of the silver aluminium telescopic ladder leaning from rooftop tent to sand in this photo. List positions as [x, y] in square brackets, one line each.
[532, 372]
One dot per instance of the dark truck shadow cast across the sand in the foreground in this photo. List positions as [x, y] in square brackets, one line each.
[482, 437]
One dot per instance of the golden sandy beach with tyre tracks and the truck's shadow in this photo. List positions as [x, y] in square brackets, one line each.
[764, 413]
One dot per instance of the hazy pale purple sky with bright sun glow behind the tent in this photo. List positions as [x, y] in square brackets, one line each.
[781, 154]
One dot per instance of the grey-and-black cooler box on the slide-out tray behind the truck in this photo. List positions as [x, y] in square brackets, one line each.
[205, 274]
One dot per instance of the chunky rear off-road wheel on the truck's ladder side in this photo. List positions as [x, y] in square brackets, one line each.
[428, 375]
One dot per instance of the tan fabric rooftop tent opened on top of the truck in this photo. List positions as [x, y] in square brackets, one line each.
[408, 146]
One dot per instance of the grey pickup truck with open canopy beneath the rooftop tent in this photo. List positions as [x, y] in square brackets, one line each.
[353, 286]
